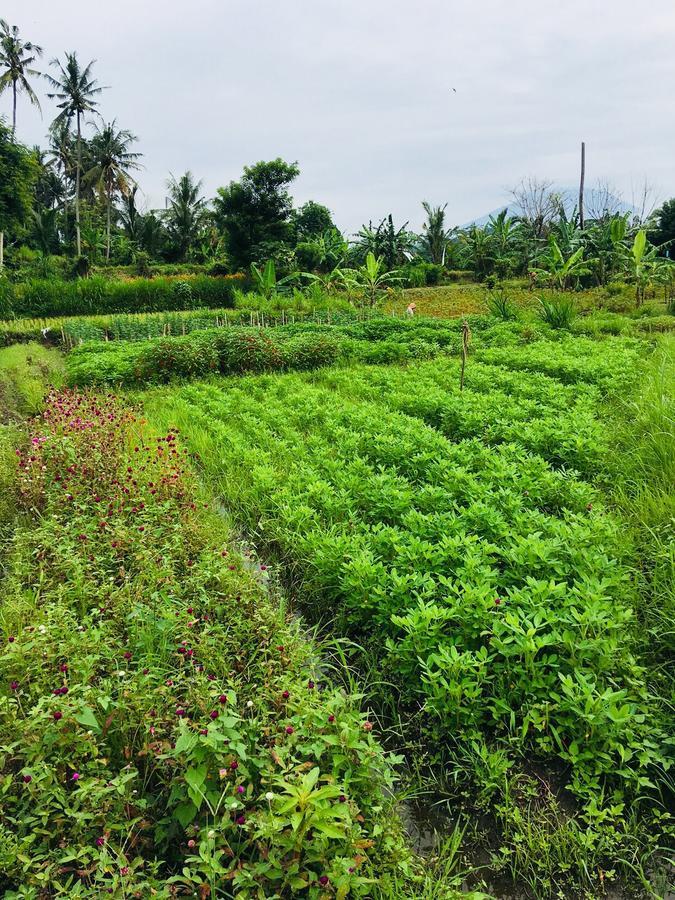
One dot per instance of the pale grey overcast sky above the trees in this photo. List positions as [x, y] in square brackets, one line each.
[359, 92]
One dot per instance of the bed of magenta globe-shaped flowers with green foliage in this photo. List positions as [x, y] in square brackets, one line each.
[164, 730]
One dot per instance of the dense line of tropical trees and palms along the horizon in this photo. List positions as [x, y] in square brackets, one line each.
[75, 203]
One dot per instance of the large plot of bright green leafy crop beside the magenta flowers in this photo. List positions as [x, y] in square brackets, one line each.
[448, 533]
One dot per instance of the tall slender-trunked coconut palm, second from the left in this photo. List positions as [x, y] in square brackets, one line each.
[75, 88]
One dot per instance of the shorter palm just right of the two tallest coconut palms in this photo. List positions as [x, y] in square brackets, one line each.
[112, 161]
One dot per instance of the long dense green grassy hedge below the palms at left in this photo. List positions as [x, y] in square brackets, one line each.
[87, 296]
